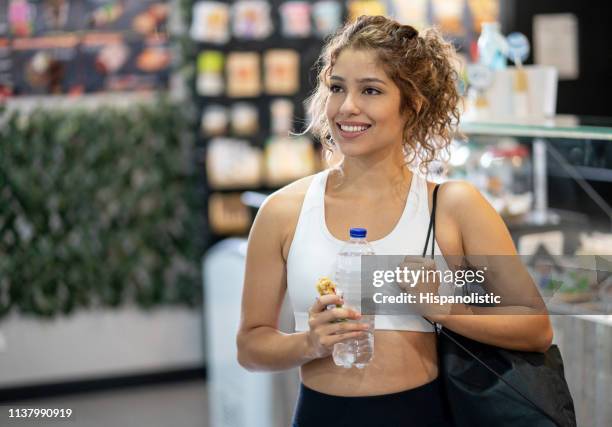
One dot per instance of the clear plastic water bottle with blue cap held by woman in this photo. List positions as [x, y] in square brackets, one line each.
[354, 352]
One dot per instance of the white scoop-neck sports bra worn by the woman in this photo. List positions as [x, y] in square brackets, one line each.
[313, 250]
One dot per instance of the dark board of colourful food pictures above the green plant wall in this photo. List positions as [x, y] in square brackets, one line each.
[83, 46]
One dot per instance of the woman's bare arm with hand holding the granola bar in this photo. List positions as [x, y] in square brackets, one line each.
[261, 346]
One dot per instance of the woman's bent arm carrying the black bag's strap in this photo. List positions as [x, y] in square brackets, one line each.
[482, 232]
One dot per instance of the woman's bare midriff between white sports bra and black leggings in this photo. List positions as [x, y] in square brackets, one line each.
[402, 360]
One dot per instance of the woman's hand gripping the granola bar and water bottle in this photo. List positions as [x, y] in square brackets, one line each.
[325, 330]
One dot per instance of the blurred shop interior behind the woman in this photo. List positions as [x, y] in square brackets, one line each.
[139, 138]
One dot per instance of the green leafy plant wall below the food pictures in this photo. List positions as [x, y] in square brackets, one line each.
[98, 208]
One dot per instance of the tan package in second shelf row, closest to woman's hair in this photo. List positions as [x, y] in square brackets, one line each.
[281, 72]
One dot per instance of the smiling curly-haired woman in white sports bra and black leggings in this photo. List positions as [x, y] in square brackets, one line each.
[386, 99]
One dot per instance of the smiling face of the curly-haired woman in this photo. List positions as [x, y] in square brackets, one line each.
[363, 106]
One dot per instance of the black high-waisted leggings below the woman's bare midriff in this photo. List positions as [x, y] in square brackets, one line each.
[418, 407]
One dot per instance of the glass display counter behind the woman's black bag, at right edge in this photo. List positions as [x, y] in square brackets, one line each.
[552, 183]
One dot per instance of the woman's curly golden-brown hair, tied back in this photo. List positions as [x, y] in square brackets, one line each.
[421, 67]
